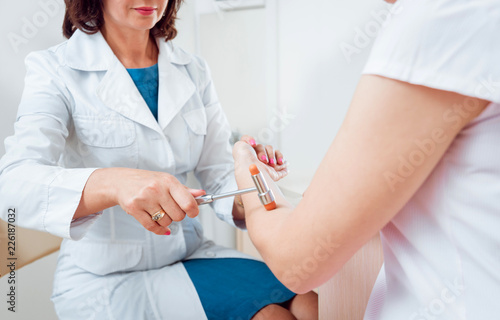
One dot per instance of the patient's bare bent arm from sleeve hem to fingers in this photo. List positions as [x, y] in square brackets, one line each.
[355, 191]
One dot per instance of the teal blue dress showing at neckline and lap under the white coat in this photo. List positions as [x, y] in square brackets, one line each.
[229, 288]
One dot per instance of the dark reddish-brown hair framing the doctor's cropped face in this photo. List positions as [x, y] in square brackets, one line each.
[87, 16]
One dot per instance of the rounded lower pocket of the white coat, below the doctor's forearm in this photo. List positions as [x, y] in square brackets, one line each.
[105, 258]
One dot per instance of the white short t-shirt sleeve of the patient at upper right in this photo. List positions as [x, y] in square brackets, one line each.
[448, 45]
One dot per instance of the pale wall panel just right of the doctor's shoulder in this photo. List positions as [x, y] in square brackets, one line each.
[234, 45]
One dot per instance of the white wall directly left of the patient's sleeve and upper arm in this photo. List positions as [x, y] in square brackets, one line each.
[316, 81]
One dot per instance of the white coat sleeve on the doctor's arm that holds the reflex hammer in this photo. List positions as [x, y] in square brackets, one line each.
[44, 195]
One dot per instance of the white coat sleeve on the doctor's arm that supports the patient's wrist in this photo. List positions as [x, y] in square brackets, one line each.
[215, 169]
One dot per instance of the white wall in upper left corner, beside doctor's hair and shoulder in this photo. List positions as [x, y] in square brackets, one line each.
[25, 26]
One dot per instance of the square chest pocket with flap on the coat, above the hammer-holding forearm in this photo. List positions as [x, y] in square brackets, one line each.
[106, 141]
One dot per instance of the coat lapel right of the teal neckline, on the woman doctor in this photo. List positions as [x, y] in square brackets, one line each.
[175, 88]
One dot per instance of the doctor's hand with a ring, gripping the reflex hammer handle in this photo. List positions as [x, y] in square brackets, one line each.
[142, 194]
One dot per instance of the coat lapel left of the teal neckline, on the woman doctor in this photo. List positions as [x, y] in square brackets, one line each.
[118, 91]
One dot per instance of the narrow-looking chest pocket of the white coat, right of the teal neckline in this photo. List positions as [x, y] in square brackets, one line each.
[196, 121]
